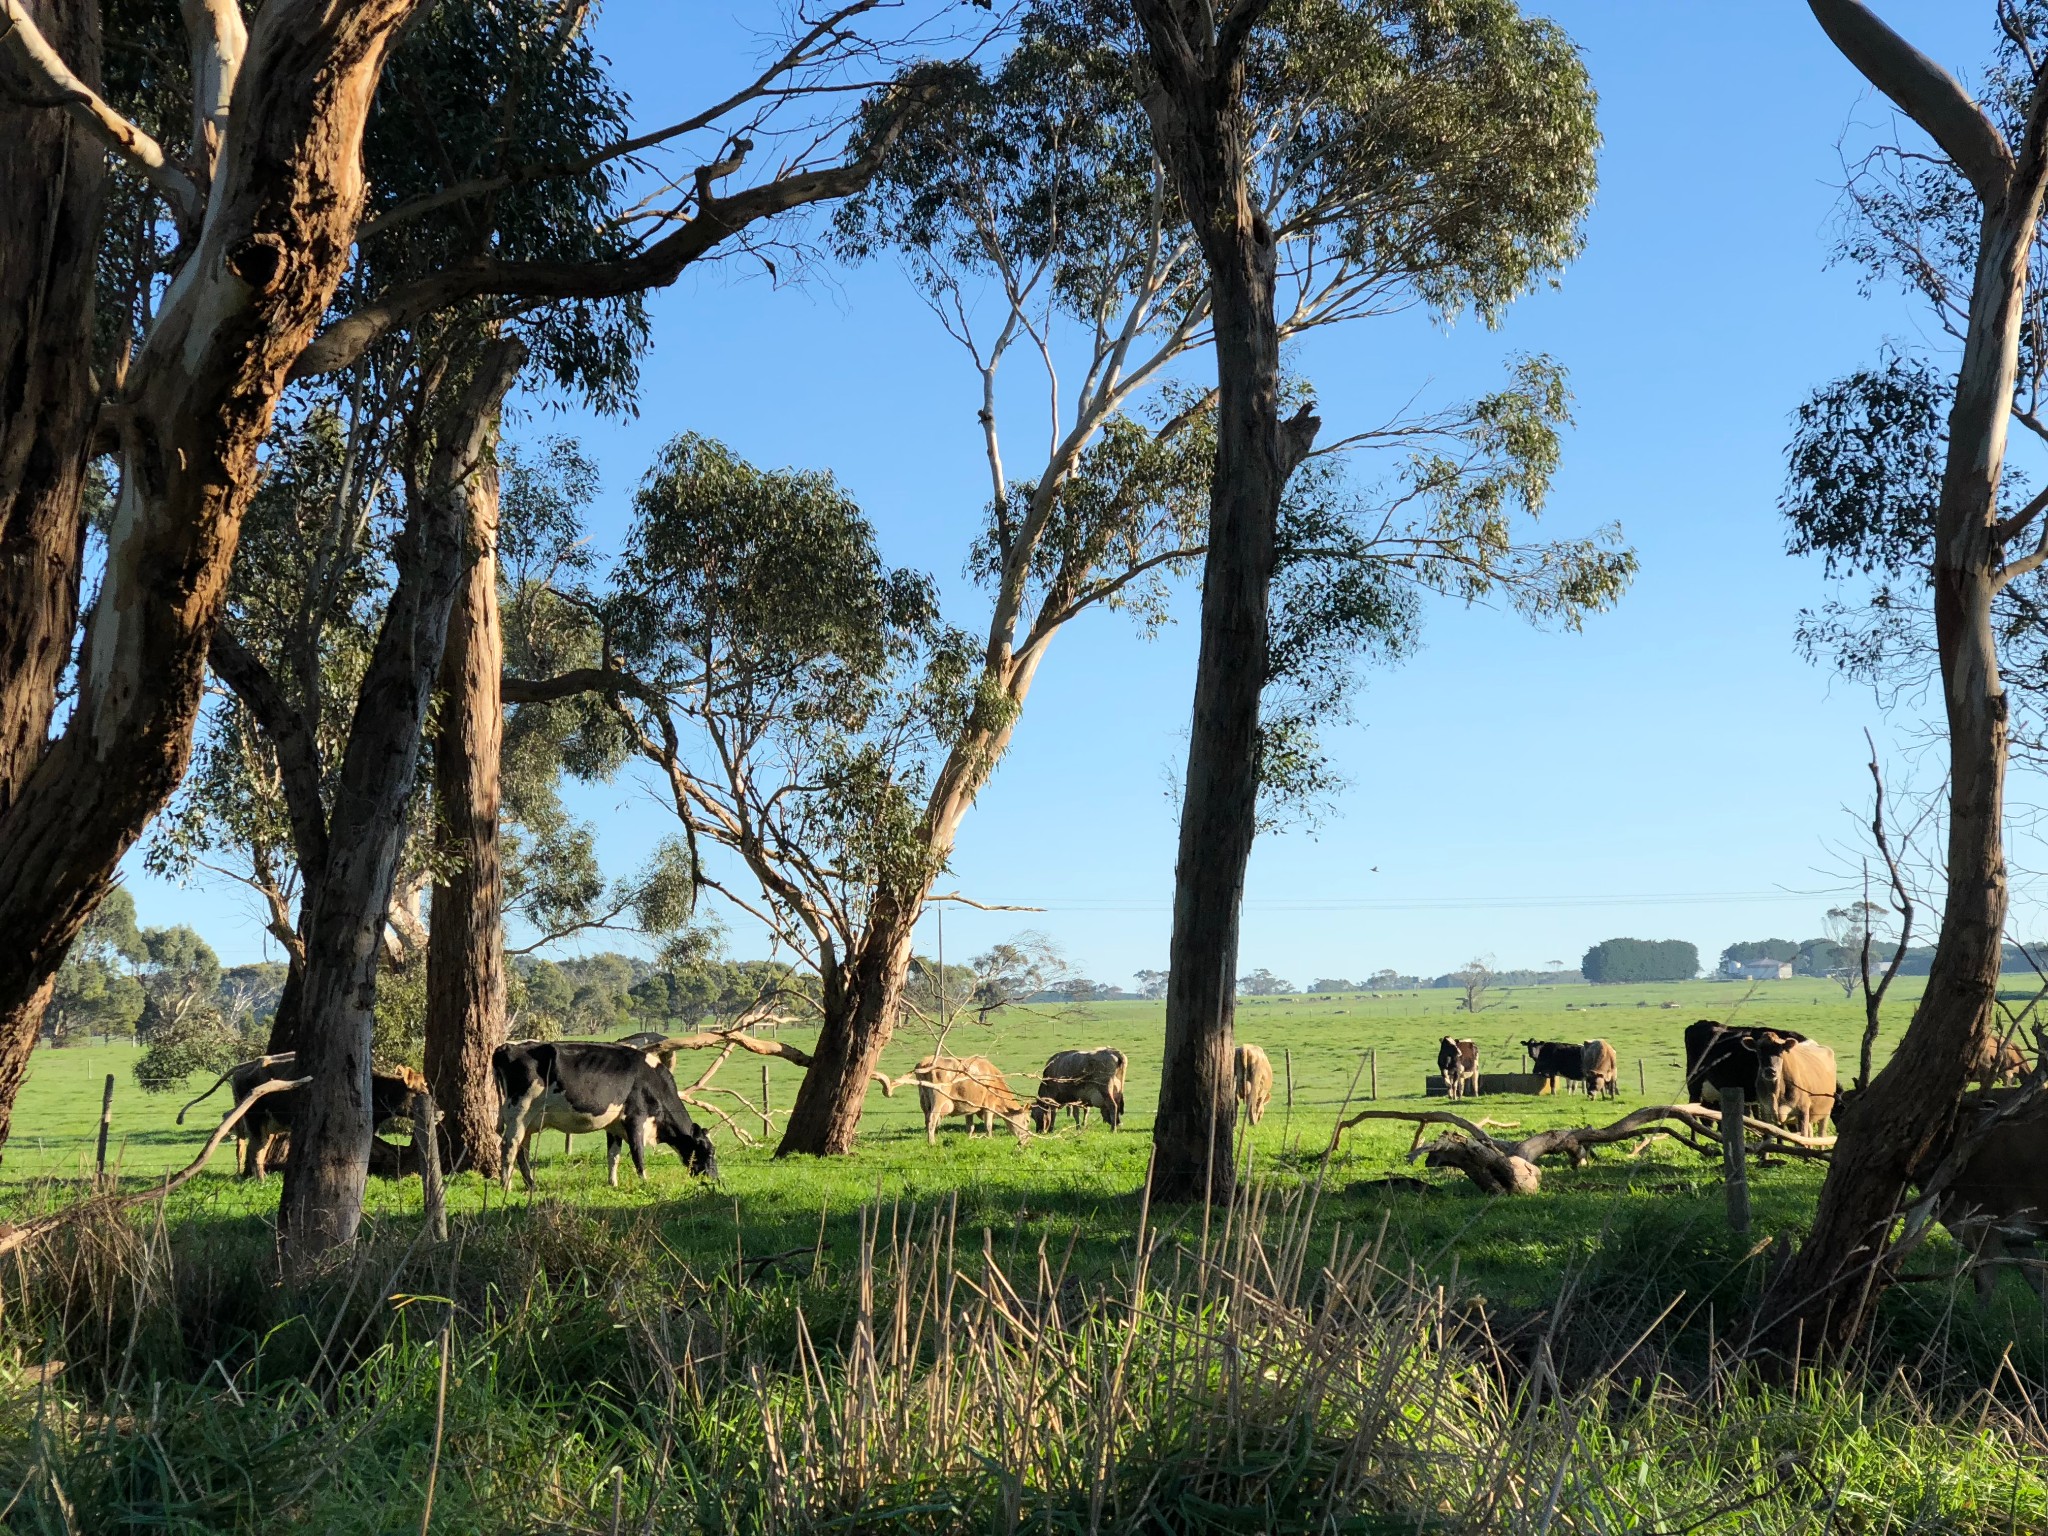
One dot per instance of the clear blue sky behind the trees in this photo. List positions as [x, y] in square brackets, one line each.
[1672, 773]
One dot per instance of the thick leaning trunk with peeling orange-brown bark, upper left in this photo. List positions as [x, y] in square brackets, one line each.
[271, 249]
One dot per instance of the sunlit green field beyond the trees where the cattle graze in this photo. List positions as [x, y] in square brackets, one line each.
[1080, 1185]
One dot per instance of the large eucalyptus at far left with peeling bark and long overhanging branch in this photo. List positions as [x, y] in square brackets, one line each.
[255, 257]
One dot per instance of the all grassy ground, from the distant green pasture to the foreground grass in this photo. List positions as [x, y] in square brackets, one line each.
[562, 1302]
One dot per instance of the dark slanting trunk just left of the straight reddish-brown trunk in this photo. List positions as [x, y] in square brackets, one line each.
[331, 1140]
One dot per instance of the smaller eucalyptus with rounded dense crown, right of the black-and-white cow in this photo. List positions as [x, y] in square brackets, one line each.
[798, 697]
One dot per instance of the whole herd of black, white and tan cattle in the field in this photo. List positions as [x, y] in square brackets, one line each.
[628, 1091]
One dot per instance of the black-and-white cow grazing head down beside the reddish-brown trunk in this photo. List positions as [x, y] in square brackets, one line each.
[577, 1086]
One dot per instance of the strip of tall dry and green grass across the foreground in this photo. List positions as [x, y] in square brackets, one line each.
[1240, 1373]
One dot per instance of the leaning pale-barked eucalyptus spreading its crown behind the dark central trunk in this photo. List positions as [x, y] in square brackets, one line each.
[1408, 157]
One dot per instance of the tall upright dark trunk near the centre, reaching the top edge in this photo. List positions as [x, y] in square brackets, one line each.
[1199, 132]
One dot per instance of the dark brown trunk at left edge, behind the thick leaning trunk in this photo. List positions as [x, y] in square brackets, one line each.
[52, 191]
